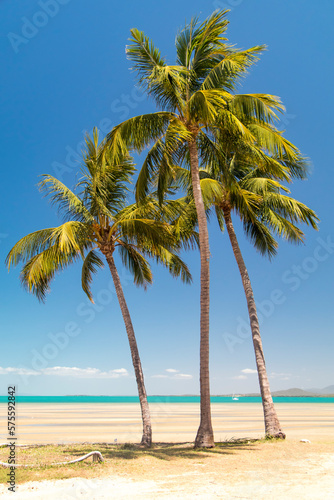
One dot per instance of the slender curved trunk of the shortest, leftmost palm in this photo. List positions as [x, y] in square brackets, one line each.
[147, 429]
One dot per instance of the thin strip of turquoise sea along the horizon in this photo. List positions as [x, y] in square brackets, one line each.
[158, 399]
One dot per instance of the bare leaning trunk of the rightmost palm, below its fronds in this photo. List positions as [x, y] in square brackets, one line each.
[272, 425]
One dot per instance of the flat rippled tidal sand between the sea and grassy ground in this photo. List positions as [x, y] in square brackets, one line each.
[39, 423]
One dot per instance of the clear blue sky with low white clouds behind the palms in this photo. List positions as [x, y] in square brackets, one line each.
[64, 72]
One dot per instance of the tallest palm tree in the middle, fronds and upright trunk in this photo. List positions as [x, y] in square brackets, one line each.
[195, 97]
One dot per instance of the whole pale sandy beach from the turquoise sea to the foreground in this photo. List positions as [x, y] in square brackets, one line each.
[280, 470]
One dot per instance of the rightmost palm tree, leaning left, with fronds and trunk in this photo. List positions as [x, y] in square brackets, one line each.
[238, 182]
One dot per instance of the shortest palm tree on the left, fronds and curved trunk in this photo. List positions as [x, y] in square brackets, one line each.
[98, 221]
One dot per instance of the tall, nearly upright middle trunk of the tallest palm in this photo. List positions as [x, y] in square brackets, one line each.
[204, 438]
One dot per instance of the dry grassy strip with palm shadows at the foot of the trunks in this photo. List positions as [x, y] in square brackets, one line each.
[230, 459]
